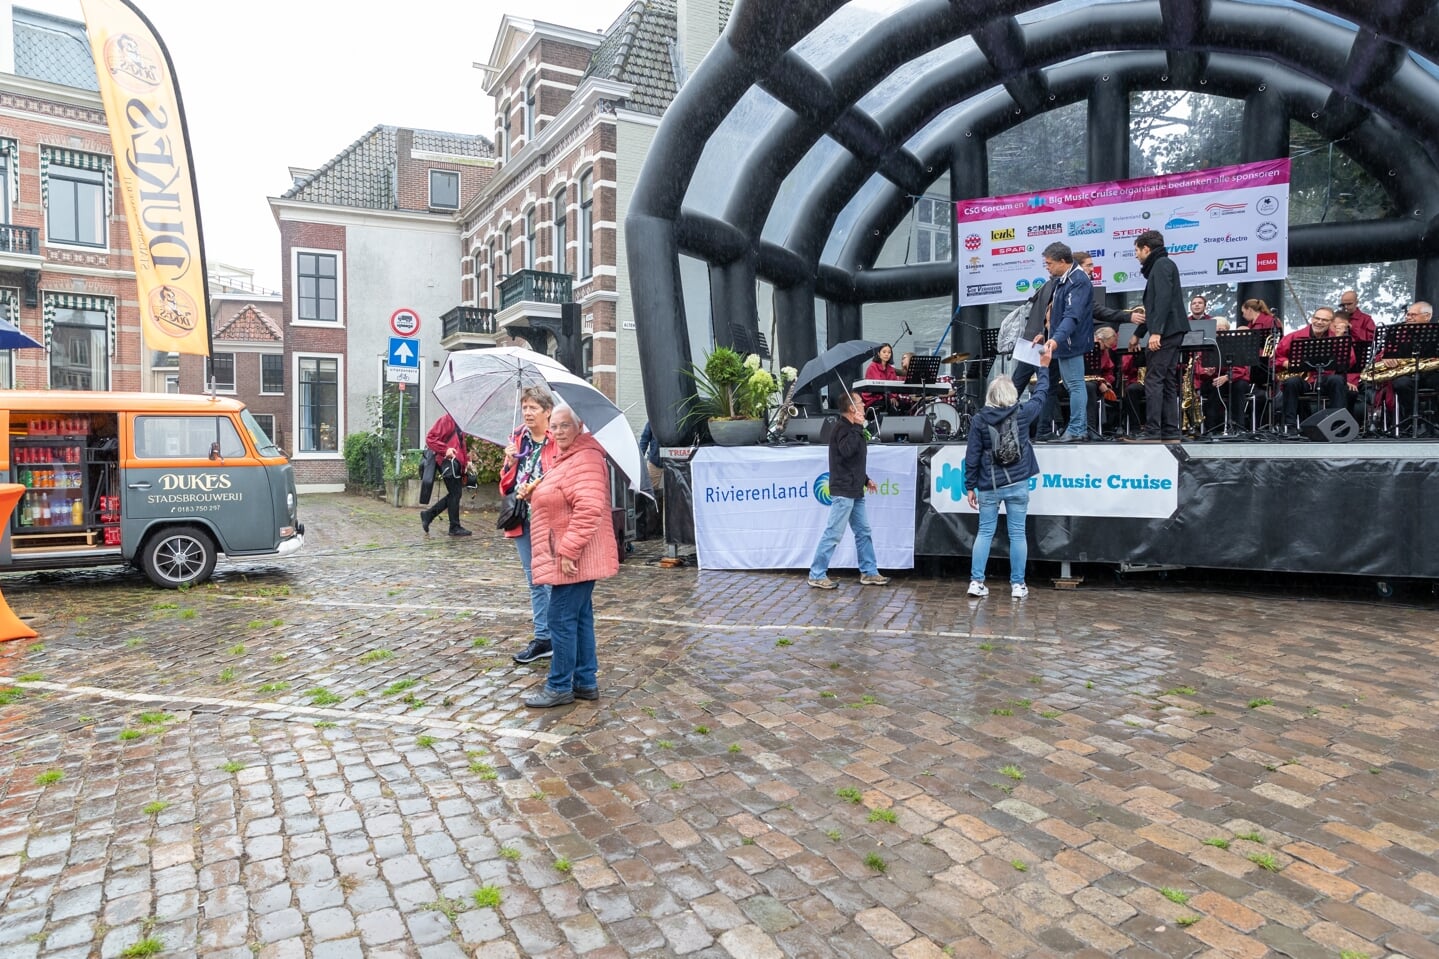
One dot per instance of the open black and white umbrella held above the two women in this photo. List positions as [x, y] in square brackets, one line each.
[481, 391]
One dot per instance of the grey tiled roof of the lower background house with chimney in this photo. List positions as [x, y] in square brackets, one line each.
[363, 174]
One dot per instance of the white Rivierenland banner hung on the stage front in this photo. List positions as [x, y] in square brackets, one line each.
[766, 509]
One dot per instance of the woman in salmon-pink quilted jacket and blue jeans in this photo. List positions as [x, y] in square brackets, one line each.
[573, 545]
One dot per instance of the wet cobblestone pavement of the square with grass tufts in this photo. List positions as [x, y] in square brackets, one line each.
[329, 758]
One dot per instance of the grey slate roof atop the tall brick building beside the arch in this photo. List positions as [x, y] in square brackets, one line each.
[637, 50]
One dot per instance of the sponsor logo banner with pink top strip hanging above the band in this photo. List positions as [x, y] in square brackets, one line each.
[1222, 227]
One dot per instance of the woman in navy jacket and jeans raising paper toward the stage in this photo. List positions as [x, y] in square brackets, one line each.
[998, 467]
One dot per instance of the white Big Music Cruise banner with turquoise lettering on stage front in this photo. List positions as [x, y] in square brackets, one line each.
[1122, 482]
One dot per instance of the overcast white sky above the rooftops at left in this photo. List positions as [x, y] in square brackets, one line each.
[278, 84]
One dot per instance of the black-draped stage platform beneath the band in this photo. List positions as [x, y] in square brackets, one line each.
[1365, 508]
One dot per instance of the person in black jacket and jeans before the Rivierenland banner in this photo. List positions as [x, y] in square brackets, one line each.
[848, 482]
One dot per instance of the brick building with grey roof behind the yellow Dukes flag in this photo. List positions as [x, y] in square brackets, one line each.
[67, 271]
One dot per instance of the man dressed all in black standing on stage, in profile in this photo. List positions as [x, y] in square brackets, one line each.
[1163, 332]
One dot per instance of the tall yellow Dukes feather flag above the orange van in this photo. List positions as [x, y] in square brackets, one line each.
[155, 175]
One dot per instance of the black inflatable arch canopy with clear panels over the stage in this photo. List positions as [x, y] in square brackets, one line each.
[1359, 73]
